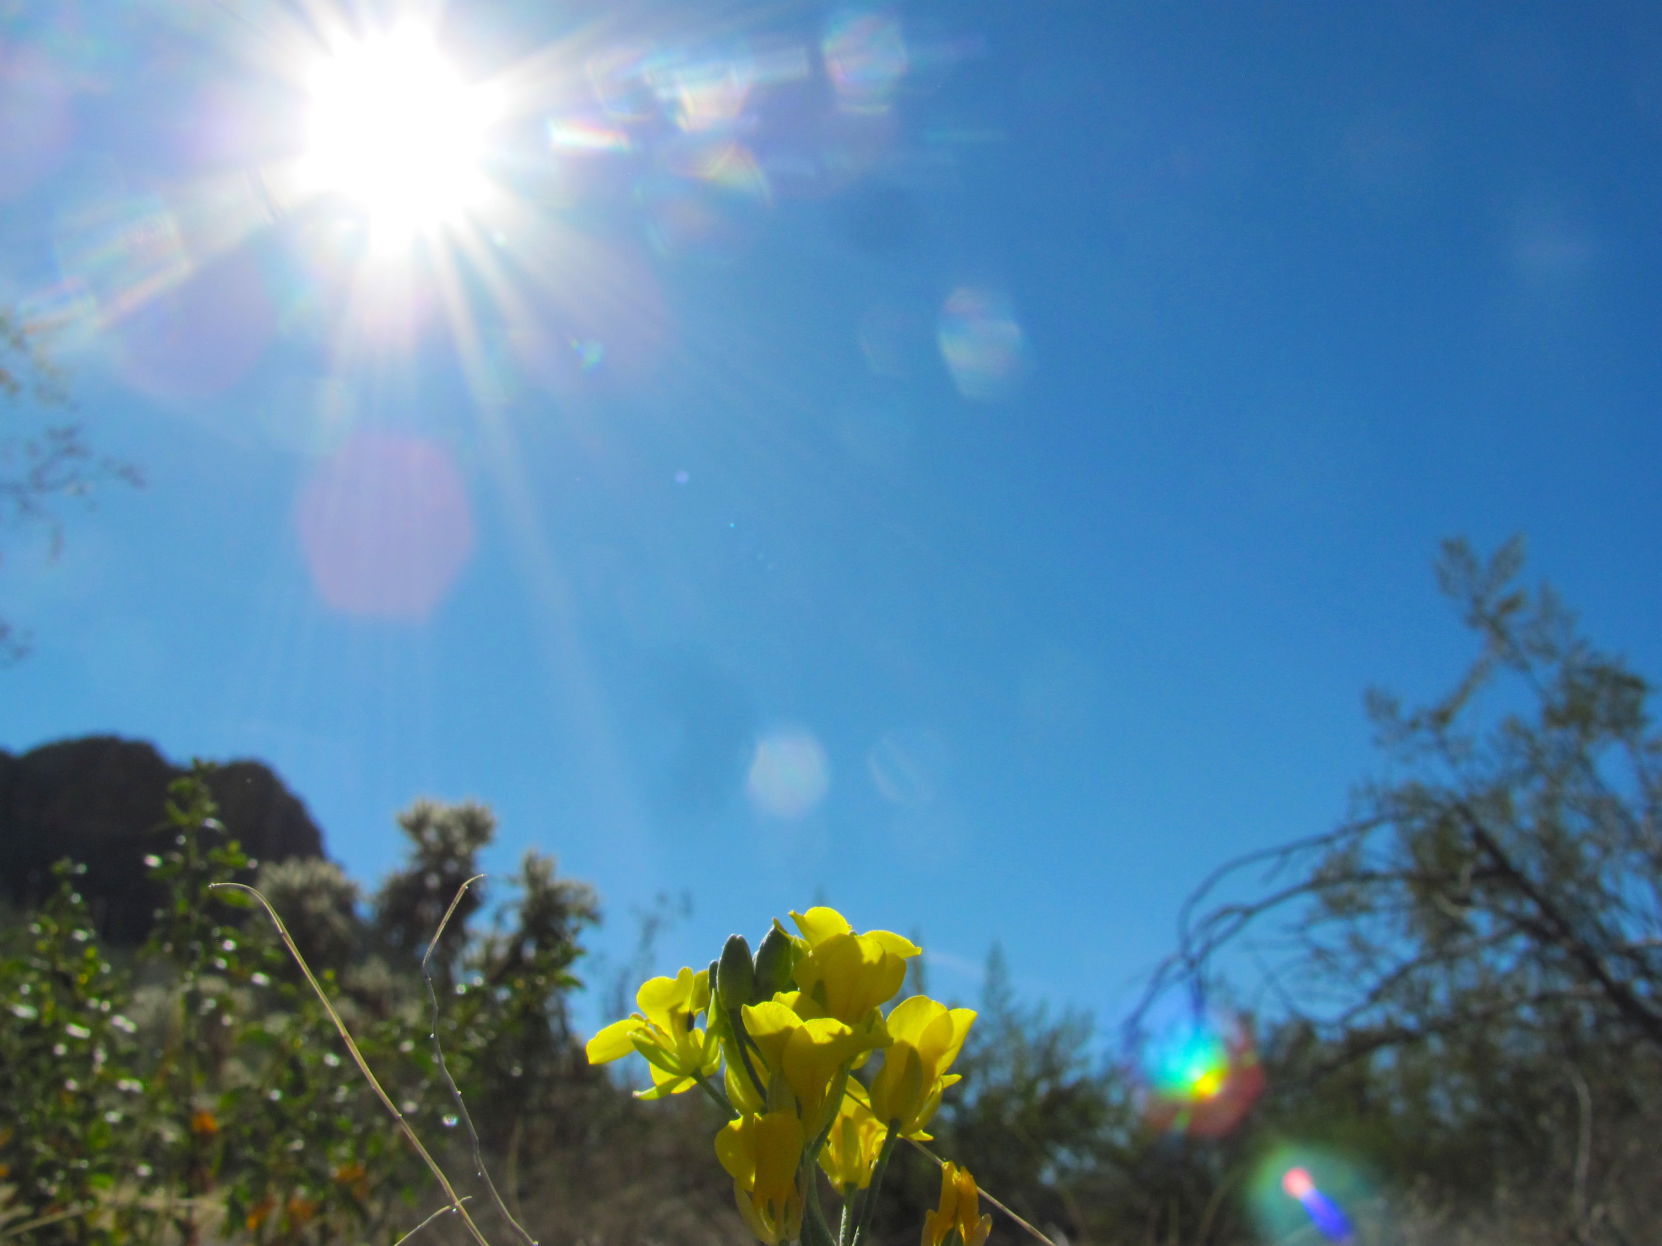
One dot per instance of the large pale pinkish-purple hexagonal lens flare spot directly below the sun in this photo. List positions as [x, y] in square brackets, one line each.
[386, 527]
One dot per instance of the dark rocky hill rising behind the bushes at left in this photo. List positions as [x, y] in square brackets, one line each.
[101, 802]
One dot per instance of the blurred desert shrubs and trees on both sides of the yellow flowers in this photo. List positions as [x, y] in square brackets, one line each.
[1457, 1034]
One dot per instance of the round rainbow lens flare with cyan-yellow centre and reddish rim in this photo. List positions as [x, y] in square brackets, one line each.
[1202, 1077]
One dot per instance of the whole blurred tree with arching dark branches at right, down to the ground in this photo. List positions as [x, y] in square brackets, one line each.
[1470, 969]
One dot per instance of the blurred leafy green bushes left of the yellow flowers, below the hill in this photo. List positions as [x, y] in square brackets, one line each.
[195, 1091]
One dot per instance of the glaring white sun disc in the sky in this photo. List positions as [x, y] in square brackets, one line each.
[396, 132]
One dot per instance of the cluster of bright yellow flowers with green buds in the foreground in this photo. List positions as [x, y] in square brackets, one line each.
[780, 1039]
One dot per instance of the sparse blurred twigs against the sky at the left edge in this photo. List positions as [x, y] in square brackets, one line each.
[41, 464]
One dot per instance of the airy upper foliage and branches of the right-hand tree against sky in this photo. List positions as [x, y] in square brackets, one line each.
[1510, 875]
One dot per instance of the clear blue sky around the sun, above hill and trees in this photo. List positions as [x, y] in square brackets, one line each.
[956, 461]
